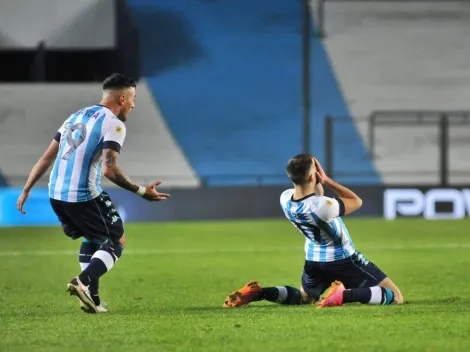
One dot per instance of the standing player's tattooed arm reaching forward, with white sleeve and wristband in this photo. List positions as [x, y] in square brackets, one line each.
[113, 139]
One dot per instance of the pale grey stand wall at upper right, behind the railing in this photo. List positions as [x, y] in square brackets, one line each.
[401, 56]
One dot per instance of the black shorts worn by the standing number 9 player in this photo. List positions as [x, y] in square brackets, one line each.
[96, 219]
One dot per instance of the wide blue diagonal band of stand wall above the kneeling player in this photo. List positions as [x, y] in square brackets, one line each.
[227, 76]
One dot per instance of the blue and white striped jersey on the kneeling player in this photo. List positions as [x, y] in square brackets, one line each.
[318, 219]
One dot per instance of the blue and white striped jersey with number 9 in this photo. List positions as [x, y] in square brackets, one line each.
[76, 174]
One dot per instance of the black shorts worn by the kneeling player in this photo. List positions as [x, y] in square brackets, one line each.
[354, 272]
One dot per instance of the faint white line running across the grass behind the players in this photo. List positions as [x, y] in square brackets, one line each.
[237, 250]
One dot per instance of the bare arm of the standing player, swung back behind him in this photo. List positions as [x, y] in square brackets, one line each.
[39, 169]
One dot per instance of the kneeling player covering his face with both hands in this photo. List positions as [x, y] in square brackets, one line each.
[331, 259]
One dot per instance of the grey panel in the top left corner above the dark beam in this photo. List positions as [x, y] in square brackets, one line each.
[61, 24]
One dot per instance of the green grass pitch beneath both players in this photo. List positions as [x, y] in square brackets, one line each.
[167, 290]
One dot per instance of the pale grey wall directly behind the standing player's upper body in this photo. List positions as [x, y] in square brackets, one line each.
[30, 115]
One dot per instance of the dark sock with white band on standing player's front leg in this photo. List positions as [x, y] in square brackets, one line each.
[101, 262]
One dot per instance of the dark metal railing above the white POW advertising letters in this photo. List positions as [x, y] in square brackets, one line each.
[436, 135]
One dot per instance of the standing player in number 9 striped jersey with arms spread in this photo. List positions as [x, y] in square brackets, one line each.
[86, 147]
